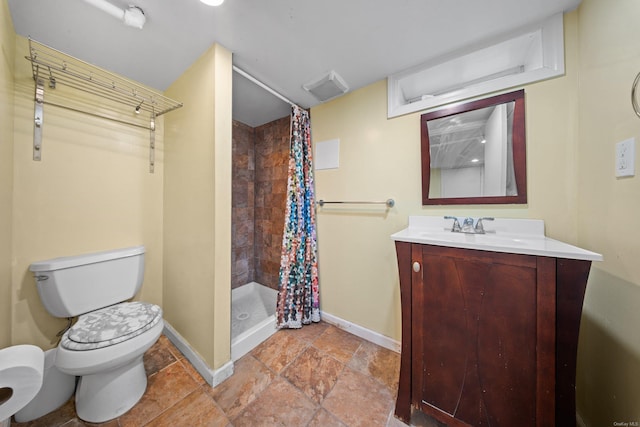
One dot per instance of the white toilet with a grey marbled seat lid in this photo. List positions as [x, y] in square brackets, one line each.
[106, 345]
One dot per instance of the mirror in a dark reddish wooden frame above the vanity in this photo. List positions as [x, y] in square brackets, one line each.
[475, 152]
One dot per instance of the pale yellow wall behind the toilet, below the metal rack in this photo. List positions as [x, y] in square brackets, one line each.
[92, 191]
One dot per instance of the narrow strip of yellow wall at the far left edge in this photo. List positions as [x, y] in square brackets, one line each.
[7, 43]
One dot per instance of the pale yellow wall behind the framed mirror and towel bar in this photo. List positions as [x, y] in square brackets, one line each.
[380, 158]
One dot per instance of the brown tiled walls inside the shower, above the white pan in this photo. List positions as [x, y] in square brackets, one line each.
[260, 158]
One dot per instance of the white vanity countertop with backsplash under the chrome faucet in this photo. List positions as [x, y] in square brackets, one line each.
[519, 236]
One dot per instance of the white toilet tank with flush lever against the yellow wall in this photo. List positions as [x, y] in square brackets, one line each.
[74, 285]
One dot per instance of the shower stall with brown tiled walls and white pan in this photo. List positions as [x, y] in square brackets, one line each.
[260, 162]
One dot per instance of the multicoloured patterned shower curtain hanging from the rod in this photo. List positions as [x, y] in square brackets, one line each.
[298, 299]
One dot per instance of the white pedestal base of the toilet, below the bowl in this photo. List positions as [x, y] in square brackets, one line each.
[107, 395]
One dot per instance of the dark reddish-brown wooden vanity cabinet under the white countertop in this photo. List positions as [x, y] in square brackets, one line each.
[488, 338]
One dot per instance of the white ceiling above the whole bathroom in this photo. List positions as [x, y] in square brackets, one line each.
[283, 43]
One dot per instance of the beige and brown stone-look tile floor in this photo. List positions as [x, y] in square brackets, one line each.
[319, 375]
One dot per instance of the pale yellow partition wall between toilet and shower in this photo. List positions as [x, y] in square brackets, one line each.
[197, 206]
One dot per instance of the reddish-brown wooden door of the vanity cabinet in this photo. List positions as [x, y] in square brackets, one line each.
[476, 320]
